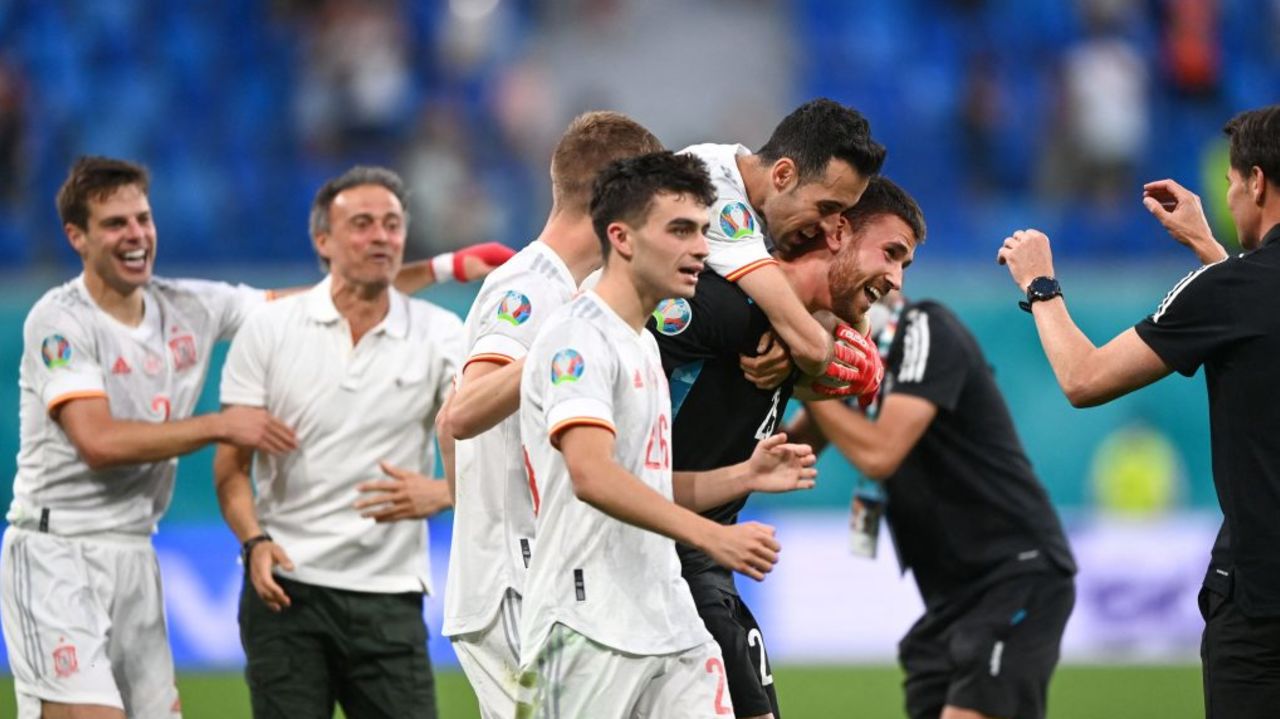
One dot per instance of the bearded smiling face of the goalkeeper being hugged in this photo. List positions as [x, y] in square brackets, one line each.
[870, 265]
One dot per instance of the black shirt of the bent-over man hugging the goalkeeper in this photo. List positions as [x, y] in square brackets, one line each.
[964, 506]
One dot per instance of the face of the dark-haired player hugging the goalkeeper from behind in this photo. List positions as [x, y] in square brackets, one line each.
[799, 212]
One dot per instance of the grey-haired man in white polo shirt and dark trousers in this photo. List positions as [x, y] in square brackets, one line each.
[332, 608]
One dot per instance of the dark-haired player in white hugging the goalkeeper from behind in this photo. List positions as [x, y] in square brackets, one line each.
[815, 167]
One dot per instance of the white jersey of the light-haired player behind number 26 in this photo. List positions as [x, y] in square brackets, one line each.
[493, 511]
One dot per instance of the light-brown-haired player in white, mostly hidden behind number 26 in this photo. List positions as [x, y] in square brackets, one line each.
[493, 515]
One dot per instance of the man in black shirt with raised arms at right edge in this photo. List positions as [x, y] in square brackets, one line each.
[1226, 317]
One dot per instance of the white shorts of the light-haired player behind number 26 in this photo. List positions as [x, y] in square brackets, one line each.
[491, 660]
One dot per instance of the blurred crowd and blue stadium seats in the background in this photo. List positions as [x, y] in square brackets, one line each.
[999, 115]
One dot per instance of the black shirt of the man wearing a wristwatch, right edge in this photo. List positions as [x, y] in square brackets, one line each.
[1227, 318]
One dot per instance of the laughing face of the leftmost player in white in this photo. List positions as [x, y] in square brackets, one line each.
[118, 244]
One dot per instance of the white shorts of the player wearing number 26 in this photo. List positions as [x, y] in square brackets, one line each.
[574, 676]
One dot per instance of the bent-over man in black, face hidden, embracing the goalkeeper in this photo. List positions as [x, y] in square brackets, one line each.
[967, 516]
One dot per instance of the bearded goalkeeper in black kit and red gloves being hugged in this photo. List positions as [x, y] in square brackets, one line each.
[720, 414]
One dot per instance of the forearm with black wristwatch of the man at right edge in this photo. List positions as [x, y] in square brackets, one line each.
[1087, 374]
